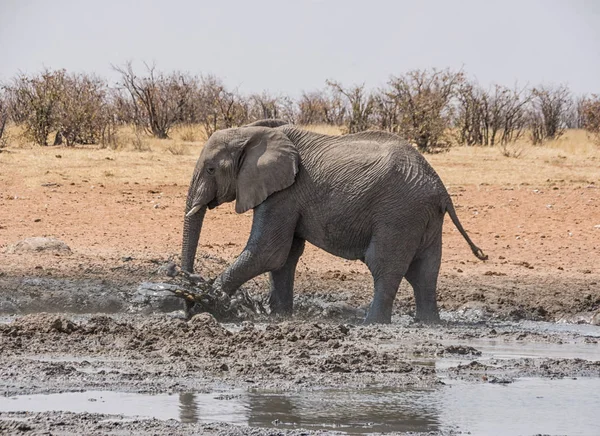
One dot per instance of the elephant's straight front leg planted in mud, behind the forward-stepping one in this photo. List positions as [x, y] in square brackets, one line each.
[281, 298]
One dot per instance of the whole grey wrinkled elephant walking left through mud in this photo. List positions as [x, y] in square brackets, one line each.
[368, 196]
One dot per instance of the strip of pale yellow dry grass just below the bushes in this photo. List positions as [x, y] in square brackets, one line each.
[574, 158]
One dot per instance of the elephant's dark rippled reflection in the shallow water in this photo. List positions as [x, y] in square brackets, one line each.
[376, 410]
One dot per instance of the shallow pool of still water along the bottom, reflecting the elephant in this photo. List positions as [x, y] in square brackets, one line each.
[527, 406]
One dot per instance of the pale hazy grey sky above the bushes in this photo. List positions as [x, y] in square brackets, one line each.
[286, 47]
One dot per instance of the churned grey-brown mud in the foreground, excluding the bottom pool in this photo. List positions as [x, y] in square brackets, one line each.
[54, 353]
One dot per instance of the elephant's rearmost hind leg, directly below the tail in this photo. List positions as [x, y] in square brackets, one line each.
[422, 275]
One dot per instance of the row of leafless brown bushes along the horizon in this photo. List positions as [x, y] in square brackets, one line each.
[433, 109]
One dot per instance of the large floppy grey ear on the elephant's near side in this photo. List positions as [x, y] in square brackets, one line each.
[268, 164]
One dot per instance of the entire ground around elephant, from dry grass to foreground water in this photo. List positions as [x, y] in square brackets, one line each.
[120, 210]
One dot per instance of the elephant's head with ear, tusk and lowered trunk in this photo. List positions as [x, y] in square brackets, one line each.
[245, 164]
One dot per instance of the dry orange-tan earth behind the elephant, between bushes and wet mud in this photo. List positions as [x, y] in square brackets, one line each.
[536, 216]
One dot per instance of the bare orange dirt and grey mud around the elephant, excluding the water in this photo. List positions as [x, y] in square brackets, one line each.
[121, 215]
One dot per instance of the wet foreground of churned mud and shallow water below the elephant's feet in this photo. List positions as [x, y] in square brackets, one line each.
[135, 373]
